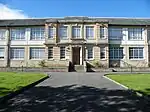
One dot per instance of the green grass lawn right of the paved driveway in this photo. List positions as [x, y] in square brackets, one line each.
[137, 82]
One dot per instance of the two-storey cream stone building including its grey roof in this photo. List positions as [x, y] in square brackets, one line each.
[113, 42]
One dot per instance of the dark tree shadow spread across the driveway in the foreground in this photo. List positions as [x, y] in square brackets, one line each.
[75, 99]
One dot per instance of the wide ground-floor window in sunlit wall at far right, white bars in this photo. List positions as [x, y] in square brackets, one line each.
[136, 53]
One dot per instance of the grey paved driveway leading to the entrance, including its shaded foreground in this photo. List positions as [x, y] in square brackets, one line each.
[76, 92]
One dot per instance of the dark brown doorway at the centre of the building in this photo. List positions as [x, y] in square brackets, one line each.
[76, 55]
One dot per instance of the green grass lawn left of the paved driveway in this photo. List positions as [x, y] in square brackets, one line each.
[12, 81]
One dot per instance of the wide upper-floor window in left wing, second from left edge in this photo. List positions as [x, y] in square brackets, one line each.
[18, 38]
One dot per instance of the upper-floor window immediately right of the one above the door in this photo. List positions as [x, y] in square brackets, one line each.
[89, 32]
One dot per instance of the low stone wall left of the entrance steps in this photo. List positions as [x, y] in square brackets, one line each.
[31, 69]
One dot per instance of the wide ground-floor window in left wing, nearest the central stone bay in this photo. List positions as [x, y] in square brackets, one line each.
[37, 53]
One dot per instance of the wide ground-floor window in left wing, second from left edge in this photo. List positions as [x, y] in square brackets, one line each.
[12, 53]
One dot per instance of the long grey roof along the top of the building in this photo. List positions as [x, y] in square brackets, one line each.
[42, 21]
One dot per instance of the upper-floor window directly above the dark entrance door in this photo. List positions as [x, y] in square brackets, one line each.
[76, 32]
